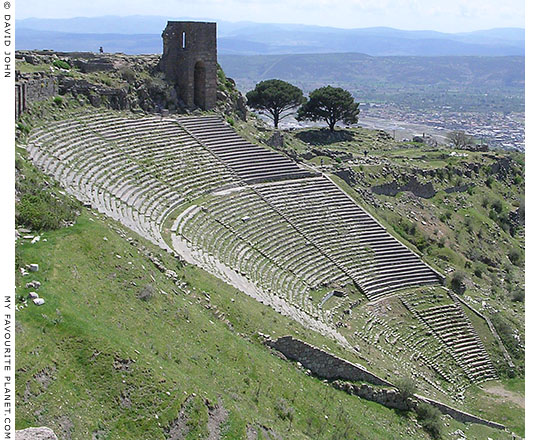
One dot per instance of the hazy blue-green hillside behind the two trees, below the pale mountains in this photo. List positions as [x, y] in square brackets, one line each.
[465, 84]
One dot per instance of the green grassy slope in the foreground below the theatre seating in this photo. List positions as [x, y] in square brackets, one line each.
[97, 361]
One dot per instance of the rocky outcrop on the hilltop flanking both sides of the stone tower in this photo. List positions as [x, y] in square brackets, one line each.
[116, 81]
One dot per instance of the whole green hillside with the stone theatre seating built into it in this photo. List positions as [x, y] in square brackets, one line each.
[117, 292]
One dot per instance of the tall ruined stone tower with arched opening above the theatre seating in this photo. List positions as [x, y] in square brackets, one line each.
[190, 61]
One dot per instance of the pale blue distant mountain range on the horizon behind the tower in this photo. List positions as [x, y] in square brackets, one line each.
[142, 34]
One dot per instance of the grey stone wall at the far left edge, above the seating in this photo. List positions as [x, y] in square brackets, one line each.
[31, 88]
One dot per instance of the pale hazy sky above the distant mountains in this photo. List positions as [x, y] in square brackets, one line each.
[441, 15]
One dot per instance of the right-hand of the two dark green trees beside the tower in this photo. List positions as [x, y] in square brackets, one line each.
[331, 104]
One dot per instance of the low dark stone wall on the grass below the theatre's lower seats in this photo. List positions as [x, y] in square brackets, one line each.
[323, 364]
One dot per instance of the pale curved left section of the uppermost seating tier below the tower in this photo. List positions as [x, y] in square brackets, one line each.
[112, 166]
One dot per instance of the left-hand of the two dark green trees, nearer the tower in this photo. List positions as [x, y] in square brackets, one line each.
[275, 97]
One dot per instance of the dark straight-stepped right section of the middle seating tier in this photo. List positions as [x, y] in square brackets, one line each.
[313, 207]
